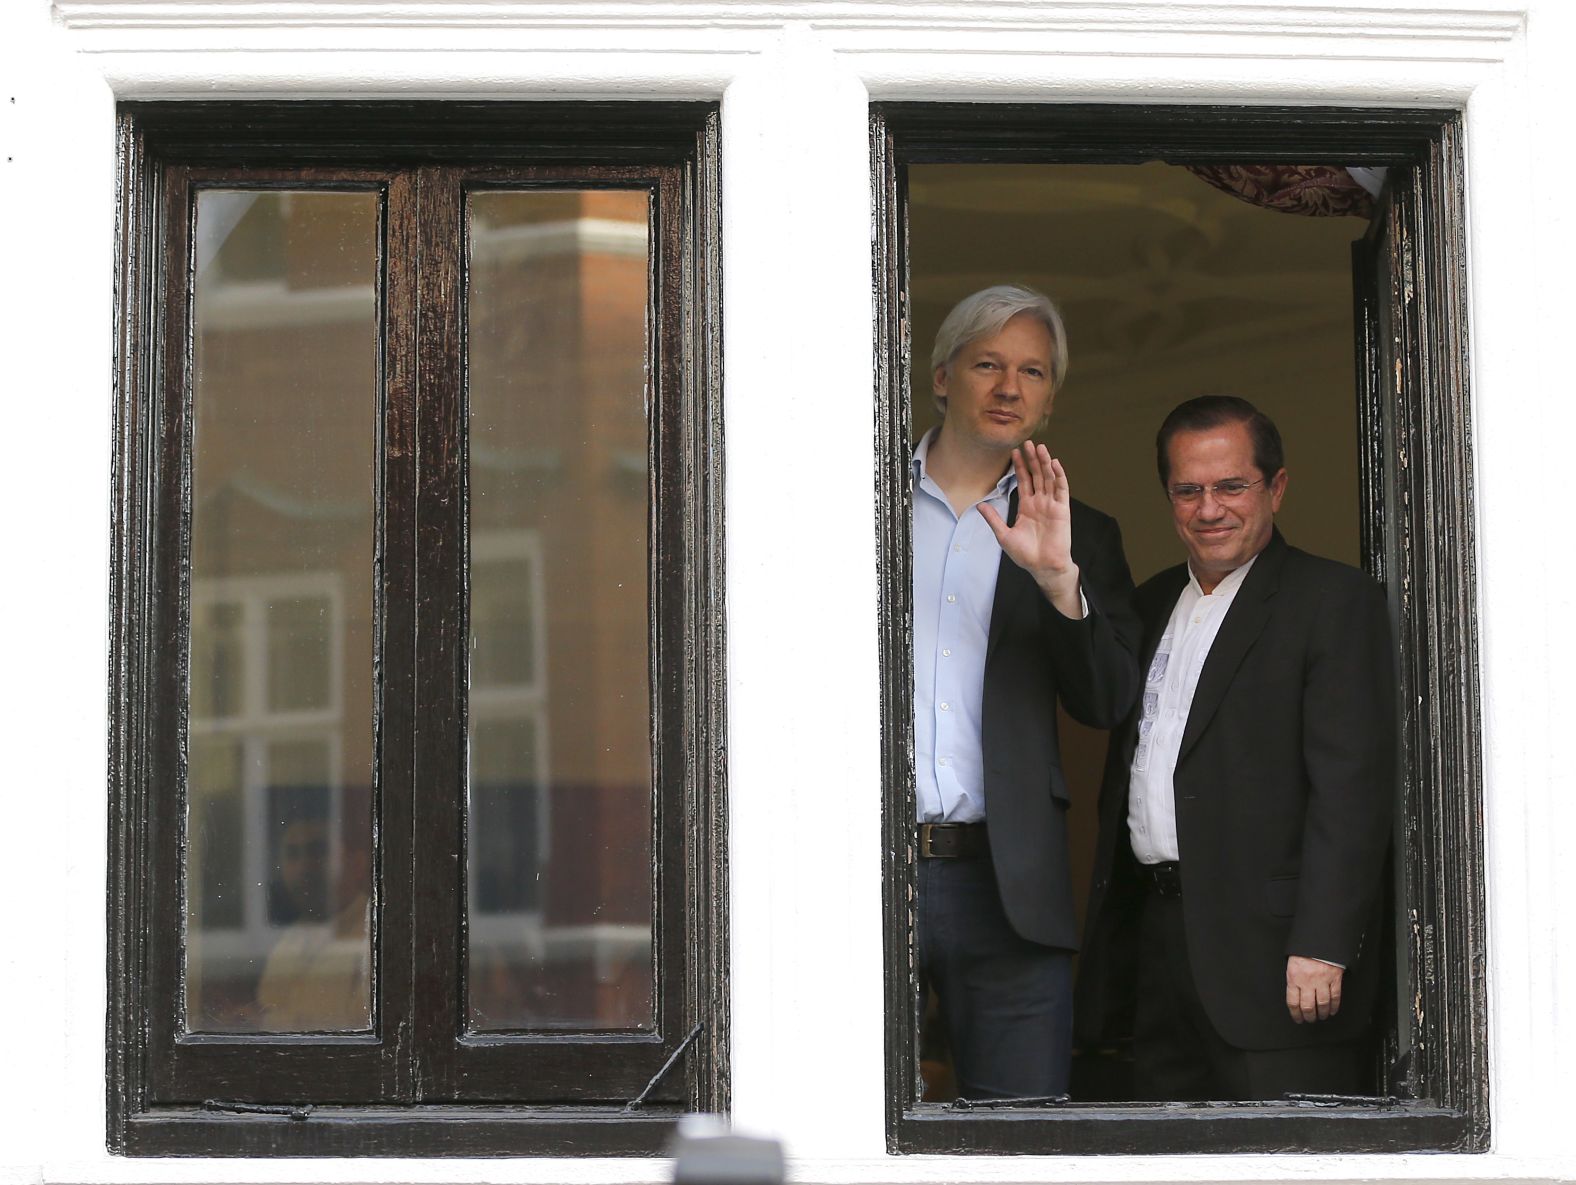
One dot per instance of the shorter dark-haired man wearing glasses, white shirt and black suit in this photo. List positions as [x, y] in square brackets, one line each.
[1247, 801]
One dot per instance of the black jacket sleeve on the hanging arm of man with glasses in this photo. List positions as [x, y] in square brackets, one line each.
[1350, 756]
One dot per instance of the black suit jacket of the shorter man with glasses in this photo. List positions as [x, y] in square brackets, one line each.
[1285, 793]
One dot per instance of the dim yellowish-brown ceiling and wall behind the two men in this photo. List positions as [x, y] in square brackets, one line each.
[1170, 289]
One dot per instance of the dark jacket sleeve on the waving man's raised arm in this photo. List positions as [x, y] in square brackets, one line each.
[1095, 658]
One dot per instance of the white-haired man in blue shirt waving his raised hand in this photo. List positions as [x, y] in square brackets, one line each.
[1022, 600]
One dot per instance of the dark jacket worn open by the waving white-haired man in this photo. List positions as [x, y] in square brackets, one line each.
[1033, 658]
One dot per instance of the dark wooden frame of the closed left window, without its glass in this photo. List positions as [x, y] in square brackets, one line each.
[417, 1085]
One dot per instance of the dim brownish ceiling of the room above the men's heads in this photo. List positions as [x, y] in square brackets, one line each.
[1147, 262]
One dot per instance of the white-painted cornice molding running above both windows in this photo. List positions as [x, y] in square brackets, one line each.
[1399, 51]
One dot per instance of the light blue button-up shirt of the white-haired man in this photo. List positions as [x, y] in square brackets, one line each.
[956, 563]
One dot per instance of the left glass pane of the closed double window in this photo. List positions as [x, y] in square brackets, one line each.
[280, 771]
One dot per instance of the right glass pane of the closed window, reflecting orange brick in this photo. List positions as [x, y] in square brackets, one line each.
[560, 820]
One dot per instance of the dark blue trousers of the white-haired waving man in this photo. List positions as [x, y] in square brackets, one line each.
[1008, 1003]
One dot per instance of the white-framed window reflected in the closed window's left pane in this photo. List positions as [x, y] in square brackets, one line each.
[278, 833]
